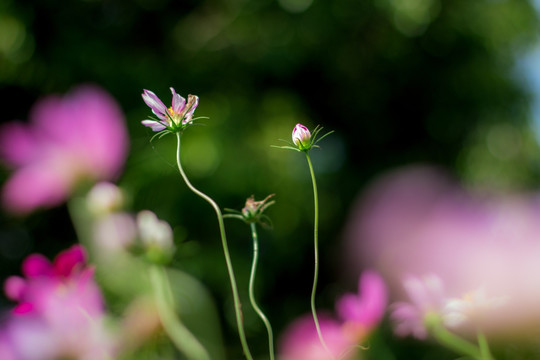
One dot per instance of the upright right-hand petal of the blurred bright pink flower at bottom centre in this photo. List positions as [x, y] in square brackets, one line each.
[363, 311]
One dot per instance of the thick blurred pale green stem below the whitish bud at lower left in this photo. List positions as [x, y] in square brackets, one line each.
[178, 333]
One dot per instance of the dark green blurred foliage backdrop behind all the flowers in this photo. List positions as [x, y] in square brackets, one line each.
[399, 81]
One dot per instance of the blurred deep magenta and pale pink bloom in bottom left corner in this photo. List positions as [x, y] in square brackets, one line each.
[59, 312]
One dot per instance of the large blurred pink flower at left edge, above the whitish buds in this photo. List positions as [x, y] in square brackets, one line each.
[70, 139]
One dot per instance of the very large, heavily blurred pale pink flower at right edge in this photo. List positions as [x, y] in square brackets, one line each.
[419, 221]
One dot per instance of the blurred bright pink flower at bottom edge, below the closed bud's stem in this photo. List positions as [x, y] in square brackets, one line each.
[359, 314]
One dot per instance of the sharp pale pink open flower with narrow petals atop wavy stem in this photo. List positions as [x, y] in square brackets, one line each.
[175, 118]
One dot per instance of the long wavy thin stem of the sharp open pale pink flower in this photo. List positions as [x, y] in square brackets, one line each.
[236, 298]
